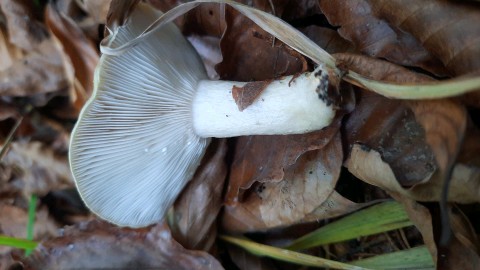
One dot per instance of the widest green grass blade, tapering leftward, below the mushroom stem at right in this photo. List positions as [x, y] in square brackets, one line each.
[375, 219]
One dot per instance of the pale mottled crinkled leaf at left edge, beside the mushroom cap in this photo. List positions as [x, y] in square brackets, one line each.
[37, 169]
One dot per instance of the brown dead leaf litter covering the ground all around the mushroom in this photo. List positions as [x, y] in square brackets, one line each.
[265, 185]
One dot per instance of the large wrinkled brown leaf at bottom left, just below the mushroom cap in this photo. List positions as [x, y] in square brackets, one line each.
[122, 248]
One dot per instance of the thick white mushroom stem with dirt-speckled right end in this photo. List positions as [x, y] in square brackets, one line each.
[286, 106]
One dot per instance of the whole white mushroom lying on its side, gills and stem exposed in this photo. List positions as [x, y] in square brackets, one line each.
[142, 134]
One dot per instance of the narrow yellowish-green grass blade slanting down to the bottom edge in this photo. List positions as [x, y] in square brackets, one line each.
[287, 255]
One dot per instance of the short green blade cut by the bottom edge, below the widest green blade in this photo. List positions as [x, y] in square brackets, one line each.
[414, 258]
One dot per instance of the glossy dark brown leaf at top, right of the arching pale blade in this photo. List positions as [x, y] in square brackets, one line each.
[374, 35]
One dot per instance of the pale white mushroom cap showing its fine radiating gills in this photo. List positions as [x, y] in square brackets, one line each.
[134, 148]
